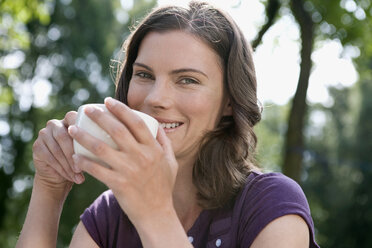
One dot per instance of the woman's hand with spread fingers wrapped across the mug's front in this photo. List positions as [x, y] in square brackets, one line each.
[142, 171]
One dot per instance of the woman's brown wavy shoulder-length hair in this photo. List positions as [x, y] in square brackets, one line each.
[225, 156]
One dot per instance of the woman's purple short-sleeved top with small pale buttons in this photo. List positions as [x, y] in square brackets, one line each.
[264, 198]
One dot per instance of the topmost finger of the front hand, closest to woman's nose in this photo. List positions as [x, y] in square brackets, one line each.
[132, 121]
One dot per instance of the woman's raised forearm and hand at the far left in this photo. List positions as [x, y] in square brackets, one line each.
[54, 177]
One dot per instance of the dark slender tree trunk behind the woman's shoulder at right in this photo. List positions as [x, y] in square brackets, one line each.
[294, 140]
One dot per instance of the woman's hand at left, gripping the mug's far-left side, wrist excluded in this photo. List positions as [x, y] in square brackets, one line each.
[52, 154]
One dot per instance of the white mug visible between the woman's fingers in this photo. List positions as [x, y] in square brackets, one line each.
[85, 123]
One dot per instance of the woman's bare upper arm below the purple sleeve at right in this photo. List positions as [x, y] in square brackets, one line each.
[288, 231]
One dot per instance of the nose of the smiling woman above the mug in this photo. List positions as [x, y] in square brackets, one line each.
[160, 95]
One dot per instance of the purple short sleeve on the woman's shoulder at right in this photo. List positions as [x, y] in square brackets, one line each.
[270, 196]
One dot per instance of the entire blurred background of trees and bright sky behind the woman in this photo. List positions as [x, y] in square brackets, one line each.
[313, 61]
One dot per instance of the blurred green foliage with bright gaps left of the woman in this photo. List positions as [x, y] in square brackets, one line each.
[59, 51]
